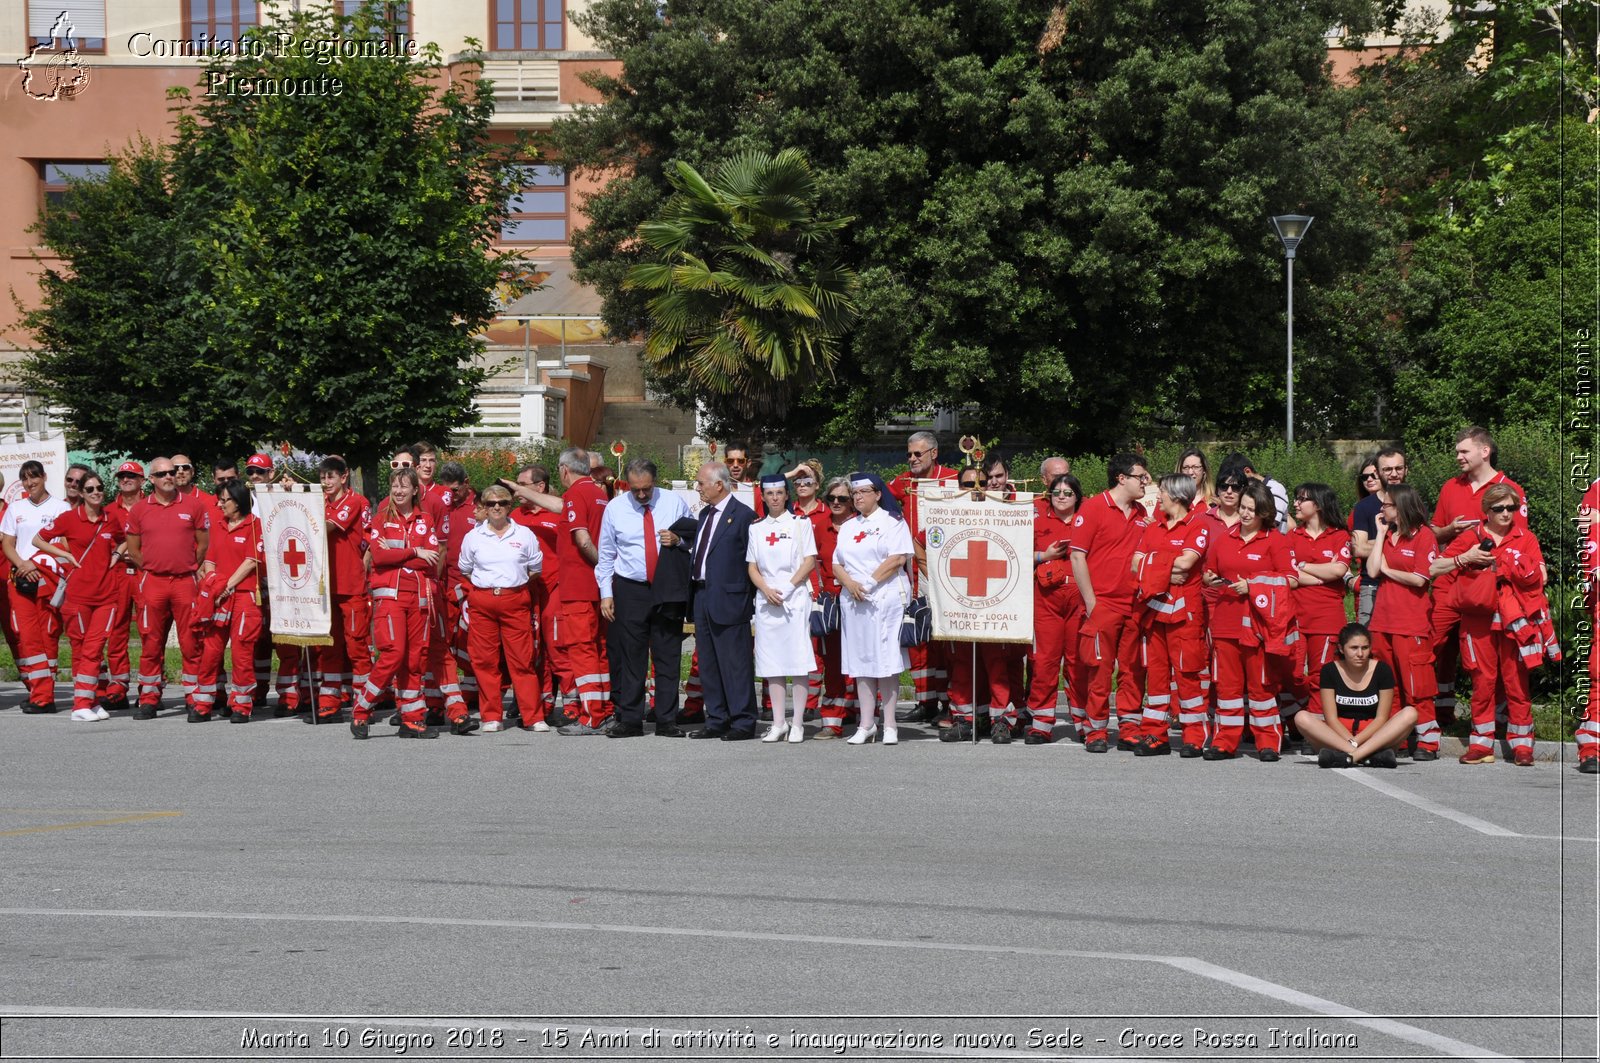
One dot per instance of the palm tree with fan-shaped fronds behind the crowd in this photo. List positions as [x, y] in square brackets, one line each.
[750, 302]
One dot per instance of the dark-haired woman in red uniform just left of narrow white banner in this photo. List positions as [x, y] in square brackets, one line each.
[238, 560]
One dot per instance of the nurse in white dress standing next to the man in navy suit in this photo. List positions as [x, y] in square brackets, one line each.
[782, 558]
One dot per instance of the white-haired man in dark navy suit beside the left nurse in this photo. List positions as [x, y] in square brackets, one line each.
[724, 604]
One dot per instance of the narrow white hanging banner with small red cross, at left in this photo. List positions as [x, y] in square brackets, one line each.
[295, 540]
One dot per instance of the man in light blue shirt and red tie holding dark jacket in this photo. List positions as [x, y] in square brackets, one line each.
[644, 577]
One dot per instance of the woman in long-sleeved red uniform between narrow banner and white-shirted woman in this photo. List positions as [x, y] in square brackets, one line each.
[407, 561]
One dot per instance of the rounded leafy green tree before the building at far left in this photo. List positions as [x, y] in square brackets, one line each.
[305, 267]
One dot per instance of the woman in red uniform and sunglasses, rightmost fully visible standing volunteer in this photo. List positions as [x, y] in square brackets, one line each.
[1500, 582]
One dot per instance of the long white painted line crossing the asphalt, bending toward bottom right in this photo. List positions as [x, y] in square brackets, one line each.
[1188, 965]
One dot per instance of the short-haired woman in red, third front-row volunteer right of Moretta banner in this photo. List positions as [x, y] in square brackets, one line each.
[1172, 619]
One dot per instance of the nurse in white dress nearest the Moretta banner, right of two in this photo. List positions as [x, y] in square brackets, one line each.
[871, 566]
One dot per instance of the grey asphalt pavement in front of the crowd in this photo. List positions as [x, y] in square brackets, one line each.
[279, 891]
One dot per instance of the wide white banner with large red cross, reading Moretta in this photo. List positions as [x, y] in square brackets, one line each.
[980, 566]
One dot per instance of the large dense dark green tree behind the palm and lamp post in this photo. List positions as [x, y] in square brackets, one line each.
[1063, 207]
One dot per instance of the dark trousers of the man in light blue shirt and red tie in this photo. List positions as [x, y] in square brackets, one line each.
[644, 633]
